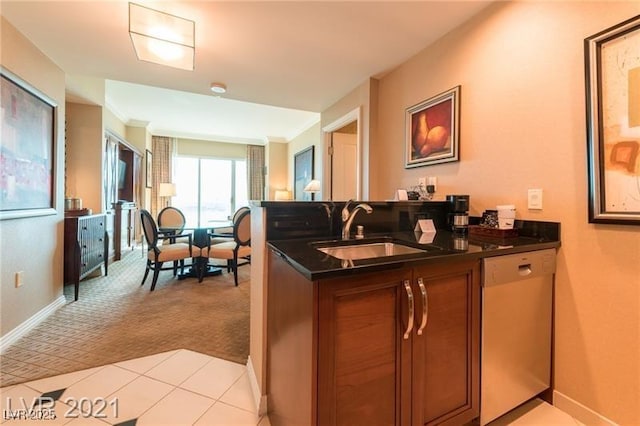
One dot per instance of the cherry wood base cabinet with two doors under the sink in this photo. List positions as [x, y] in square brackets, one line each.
[397, 347]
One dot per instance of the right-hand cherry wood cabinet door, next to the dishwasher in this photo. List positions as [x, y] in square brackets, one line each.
[446, 354]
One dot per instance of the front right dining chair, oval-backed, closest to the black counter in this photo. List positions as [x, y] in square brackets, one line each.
[237, 249]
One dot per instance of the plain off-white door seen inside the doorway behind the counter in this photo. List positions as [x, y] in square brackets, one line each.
[344, 166]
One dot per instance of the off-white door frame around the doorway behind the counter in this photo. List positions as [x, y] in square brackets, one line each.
[327, 131]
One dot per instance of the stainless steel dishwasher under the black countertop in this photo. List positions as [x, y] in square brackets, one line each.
[517, 295]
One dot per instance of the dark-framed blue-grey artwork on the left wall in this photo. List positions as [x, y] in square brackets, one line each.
[27, 146]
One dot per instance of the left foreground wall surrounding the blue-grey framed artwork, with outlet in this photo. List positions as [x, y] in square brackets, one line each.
[33, 245]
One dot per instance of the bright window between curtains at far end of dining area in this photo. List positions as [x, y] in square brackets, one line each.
[208, 189]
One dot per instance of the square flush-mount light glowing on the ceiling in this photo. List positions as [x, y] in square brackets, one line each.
[162, 38]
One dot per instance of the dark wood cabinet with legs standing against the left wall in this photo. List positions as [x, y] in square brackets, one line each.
[86, 247]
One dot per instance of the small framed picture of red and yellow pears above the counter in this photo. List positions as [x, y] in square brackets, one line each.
[432, 130]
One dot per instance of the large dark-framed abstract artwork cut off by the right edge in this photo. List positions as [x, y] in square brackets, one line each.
[612, 68]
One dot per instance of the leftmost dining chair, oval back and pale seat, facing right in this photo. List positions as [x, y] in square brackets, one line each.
[157, 254]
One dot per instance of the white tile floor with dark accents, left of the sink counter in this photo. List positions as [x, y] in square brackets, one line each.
[171, 388]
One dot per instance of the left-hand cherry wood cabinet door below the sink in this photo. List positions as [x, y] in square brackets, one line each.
[361, 350]
